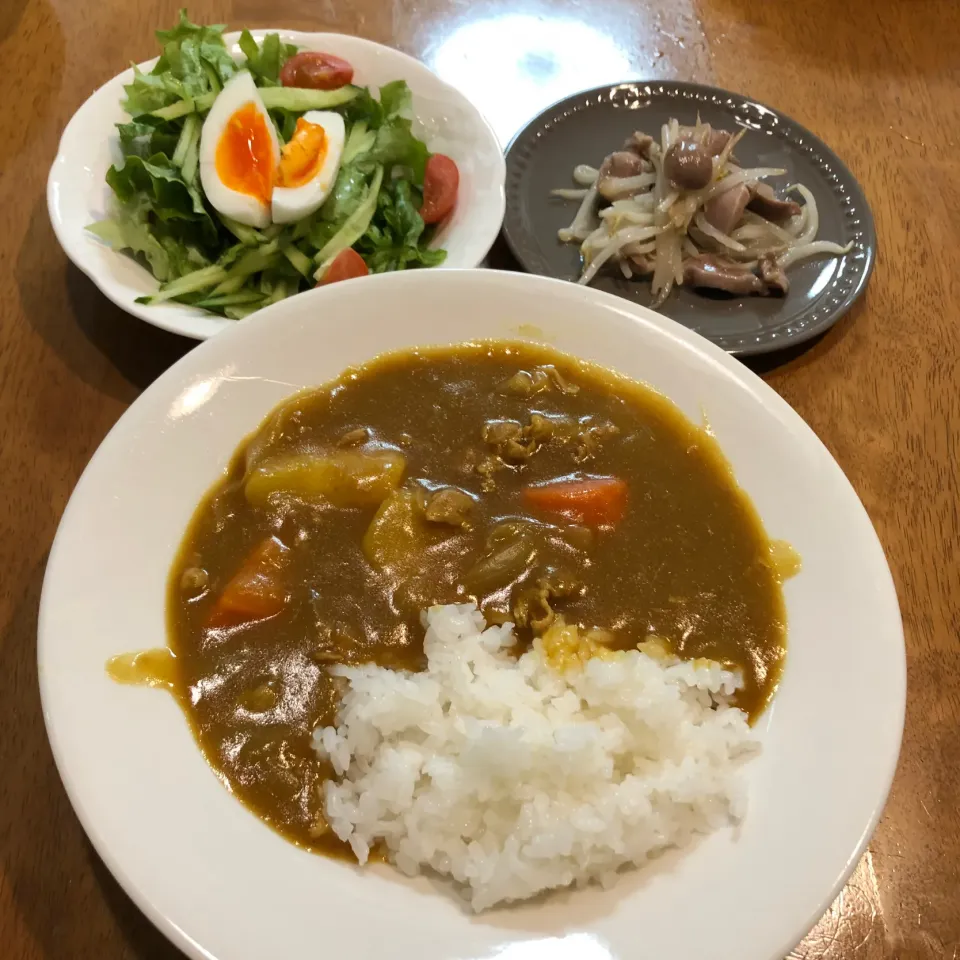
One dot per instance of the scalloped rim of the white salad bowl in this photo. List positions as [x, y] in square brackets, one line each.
[180, 318]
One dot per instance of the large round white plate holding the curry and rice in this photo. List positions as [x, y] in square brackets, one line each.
[222, 885]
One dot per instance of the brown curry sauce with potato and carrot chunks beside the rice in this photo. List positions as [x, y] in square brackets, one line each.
[508, 473]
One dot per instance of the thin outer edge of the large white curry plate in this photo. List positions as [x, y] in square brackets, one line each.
[758, 389]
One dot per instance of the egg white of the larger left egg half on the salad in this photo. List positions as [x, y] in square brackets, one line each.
[237, 91]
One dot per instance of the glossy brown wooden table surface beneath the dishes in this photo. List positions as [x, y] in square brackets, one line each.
[879, 80]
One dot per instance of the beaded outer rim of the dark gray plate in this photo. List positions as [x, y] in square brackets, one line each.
[865, 212]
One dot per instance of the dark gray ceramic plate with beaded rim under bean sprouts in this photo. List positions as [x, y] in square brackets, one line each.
[586, 127]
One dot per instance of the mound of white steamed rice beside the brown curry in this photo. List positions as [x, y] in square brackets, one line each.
[511, 778]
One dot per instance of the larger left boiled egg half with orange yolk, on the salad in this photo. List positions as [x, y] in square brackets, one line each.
[239, 153]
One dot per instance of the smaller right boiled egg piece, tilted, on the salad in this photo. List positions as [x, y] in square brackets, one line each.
[308, 166]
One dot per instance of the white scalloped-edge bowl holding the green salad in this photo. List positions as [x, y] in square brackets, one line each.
[77, 194]
